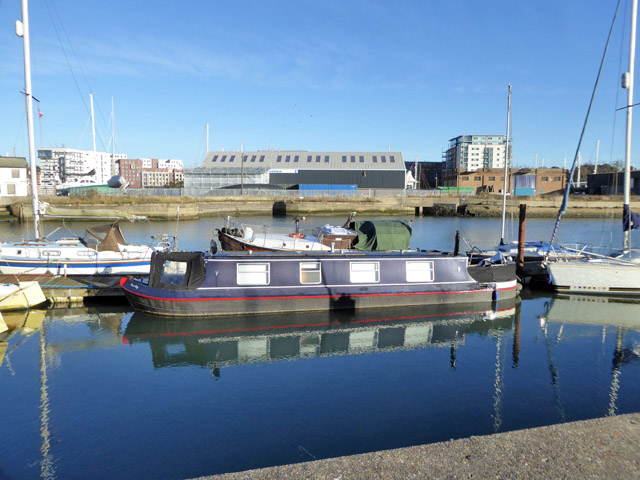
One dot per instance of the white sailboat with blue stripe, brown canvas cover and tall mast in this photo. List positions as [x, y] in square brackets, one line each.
[109, 253]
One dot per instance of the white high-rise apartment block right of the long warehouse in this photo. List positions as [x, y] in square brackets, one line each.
[472, 152]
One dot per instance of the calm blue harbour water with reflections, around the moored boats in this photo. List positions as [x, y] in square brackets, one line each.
[103, 392]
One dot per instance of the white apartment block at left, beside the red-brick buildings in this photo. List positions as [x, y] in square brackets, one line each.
[62, 165]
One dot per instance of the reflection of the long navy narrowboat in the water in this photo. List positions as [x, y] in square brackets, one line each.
[220, 341]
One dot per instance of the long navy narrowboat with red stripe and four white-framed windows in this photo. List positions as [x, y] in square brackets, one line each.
[197, 284]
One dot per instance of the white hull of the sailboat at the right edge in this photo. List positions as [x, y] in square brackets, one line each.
[595, 277]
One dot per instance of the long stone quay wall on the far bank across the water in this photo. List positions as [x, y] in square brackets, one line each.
[194, 208]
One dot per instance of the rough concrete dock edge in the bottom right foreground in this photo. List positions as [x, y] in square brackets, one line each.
[603, 448]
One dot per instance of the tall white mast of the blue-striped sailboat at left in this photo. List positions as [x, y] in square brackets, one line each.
[22, 30]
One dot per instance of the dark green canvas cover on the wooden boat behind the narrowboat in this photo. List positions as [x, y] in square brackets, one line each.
[378, 235]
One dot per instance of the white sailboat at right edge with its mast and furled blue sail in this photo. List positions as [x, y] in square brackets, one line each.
[618, 273]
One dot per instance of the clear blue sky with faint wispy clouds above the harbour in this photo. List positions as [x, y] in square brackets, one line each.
[330, 75]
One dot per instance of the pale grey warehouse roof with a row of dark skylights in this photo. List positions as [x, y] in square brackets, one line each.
[304, 160]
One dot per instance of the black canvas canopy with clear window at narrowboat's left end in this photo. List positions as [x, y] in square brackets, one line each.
[177, 270]
